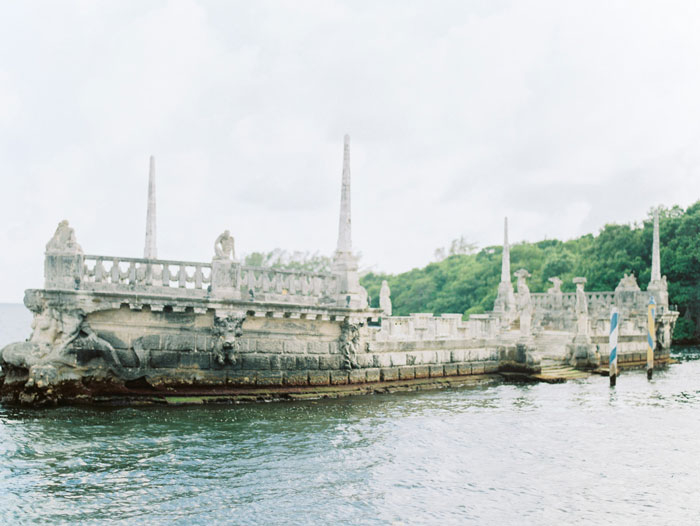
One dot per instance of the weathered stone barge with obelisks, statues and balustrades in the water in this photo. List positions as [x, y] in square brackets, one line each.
[114, 330]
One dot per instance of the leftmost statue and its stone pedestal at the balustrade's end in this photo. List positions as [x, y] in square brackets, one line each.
[63, 261]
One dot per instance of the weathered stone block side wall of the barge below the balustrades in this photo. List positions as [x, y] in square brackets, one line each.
[172, 347]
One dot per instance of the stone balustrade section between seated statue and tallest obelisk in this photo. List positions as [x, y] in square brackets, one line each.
[267, 284]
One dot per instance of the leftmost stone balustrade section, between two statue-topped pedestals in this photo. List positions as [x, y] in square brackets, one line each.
[111, 273]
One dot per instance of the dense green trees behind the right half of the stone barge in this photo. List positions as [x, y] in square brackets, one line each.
[468, 282]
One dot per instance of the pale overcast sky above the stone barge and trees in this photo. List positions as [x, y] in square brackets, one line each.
[562, 115]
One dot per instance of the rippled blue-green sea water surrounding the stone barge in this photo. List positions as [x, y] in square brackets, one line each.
[574, 453]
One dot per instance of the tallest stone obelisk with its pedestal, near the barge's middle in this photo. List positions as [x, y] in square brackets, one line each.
[345, 265]
